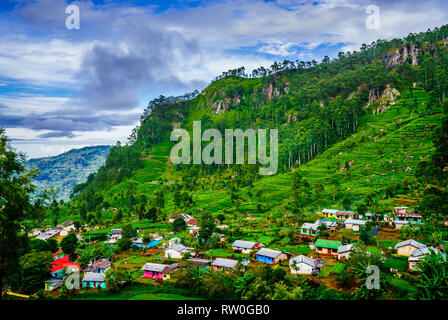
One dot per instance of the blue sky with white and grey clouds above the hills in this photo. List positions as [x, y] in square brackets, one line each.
[64, 88]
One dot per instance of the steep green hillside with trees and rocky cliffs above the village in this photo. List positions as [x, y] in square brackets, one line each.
[353, 132]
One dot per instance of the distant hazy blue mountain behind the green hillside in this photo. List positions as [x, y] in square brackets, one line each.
[66, 170]
